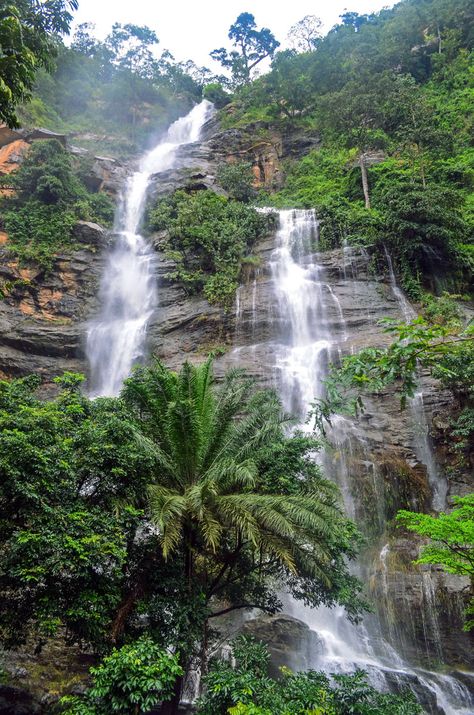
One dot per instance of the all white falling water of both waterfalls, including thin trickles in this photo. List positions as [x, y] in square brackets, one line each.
[307, 332]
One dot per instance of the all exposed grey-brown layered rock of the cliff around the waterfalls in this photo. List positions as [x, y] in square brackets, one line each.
[43, 318]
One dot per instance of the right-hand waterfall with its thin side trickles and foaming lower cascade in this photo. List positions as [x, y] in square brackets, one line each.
[309, 333]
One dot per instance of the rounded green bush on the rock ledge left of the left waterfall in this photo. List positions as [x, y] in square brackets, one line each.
[49, 198]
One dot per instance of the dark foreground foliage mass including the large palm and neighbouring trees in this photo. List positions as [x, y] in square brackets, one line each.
[182, 500]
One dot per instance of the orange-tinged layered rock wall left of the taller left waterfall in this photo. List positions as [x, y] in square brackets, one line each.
[43, 314]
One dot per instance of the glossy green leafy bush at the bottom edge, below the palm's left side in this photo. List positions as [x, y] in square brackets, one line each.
[131, 680]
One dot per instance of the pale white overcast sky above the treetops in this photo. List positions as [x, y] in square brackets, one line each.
[190, 29]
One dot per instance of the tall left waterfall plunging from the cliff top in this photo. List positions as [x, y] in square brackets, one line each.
[128, 293]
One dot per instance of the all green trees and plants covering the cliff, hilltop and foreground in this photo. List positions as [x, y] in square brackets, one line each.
[129, 524]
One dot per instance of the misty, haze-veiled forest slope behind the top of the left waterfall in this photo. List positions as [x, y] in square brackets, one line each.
[115, 96]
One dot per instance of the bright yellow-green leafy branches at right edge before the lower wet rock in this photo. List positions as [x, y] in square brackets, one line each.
[452, 541]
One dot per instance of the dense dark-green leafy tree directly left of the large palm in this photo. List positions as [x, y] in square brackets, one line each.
[70, 470]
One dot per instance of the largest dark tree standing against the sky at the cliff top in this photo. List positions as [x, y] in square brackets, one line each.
[253, 47]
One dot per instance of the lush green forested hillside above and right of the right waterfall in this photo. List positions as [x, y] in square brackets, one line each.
[392, 96]
